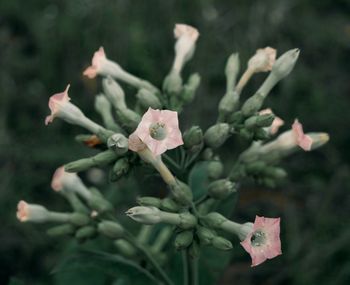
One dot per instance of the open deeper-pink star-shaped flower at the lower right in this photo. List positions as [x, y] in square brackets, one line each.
[264, 241]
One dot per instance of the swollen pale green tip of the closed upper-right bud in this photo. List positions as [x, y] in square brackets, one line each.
[285, 63]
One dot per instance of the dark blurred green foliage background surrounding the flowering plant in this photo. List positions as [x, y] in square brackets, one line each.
[46, 44]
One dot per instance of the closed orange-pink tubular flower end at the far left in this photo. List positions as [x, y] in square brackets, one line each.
[30, 212]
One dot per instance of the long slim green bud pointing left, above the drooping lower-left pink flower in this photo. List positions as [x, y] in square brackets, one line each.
[100, 159]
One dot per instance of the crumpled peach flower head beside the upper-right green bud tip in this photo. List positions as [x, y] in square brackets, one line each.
[263, 60]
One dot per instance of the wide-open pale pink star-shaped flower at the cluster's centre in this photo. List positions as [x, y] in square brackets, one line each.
[159, 130]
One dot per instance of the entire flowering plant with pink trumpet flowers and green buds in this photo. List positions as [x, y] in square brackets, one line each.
[149, 135]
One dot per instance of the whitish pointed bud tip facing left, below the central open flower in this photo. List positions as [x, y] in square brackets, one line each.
[145, 215]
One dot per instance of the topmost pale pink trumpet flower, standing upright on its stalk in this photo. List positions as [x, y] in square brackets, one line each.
[184, 48]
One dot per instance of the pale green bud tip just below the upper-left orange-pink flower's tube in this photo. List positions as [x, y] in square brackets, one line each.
[114, 93]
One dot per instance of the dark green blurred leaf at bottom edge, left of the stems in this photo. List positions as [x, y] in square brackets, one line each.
[94, 267]
